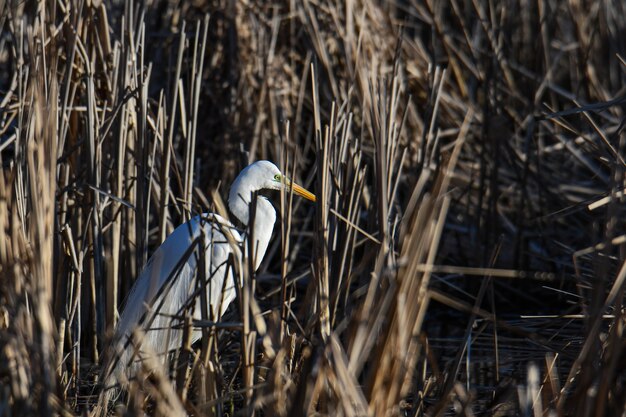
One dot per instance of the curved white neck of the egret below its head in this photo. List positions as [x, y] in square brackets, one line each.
[264, 218]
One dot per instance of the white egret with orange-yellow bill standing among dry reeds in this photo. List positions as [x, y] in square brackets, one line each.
[168, 281]
